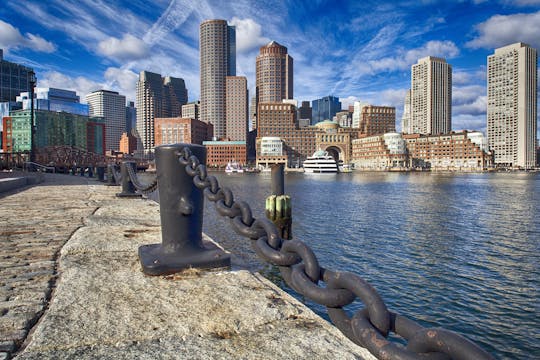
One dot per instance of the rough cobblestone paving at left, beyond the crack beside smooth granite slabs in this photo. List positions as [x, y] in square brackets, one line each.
[34, 224]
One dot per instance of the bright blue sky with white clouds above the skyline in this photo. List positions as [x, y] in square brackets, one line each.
[356, 50]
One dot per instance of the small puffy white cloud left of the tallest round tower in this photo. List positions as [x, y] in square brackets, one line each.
[125, 49]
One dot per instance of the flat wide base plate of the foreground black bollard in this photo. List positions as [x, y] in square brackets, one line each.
[156, 261]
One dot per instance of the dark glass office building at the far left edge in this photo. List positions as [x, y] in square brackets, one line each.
[14, 79]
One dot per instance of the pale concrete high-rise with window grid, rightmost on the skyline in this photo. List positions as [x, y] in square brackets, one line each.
[512, 105]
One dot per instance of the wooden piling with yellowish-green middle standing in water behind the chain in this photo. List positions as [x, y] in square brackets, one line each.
[278, 205]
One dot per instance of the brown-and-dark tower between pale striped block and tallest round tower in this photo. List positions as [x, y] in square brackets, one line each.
[157, 97]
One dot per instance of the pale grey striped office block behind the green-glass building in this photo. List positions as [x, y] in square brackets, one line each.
[111, 106]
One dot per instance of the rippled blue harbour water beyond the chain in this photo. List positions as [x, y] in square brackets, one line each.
[457, 251]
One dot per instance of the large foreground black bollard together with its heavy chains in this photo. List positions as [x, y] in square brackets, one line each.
[183, 184]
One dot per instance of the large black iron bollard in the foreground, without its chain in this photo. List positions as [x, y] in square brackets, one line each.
[181, 210]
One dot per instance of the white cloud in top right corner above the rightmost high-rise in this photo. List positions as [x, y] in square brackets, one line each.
[501, 30]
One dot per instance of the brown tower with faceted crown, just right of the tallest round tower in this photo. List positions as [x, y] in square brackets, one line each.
[274, 73]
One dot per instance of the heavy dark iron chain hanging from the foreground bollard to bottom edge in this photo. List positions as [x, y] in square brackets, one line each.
[370, 326]
